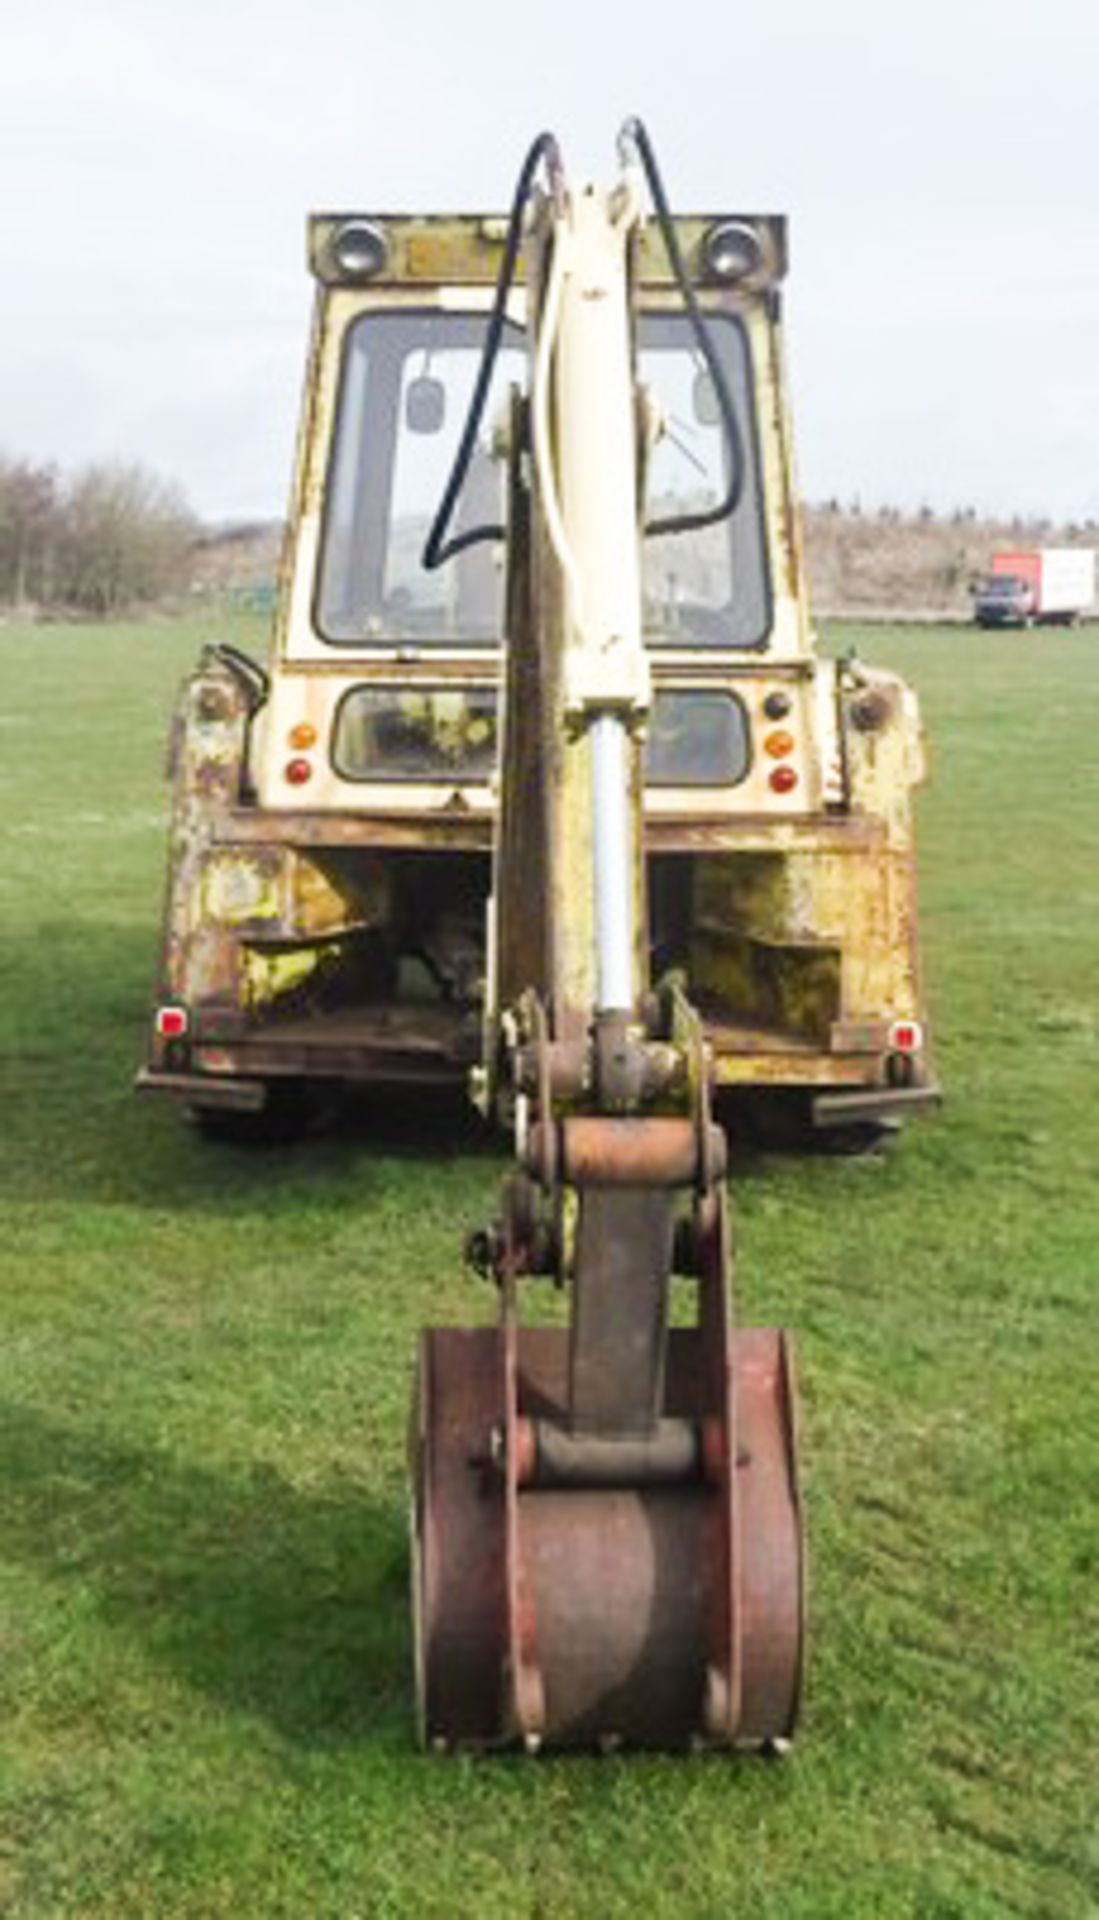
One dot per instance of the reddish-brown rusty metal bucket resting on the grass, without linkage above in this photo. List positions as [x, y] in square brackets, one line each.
[577, 1593]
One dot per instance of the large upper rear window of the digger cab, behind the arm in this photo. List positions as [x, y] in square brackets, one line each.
[404, 395]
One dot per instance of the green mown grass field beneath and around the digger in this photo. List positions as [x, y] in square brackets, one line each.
[207, 1364]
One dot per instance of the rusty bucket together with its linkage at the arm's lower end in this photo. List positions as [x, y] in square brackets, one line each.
[608, 1537]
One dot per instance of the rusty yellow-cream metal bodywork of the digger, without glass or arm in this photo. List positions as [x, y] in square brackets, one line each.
[794, 915]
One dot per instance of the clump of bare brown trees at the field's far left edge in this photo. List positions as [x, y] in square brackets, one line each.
[103, 540]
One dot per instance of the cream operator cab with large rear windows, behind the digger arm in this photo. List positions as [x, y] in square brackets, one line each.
[389, 669]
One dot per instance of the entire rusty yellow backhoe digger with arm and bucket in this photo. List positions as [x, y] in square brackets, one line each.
[550, 784]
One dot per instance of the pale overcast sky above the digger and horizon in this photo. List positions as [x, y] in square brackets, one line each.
[939, 164]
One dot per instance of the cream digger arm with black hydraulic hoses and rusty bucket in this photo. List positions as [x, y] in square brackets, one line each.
[608, 1539]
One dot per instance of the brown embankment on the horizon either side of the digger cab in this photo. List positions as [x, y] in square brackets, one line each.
[866, 564]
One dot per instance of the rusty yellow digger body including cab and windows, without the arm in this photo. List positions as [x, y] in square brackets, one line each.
[333, 813]
